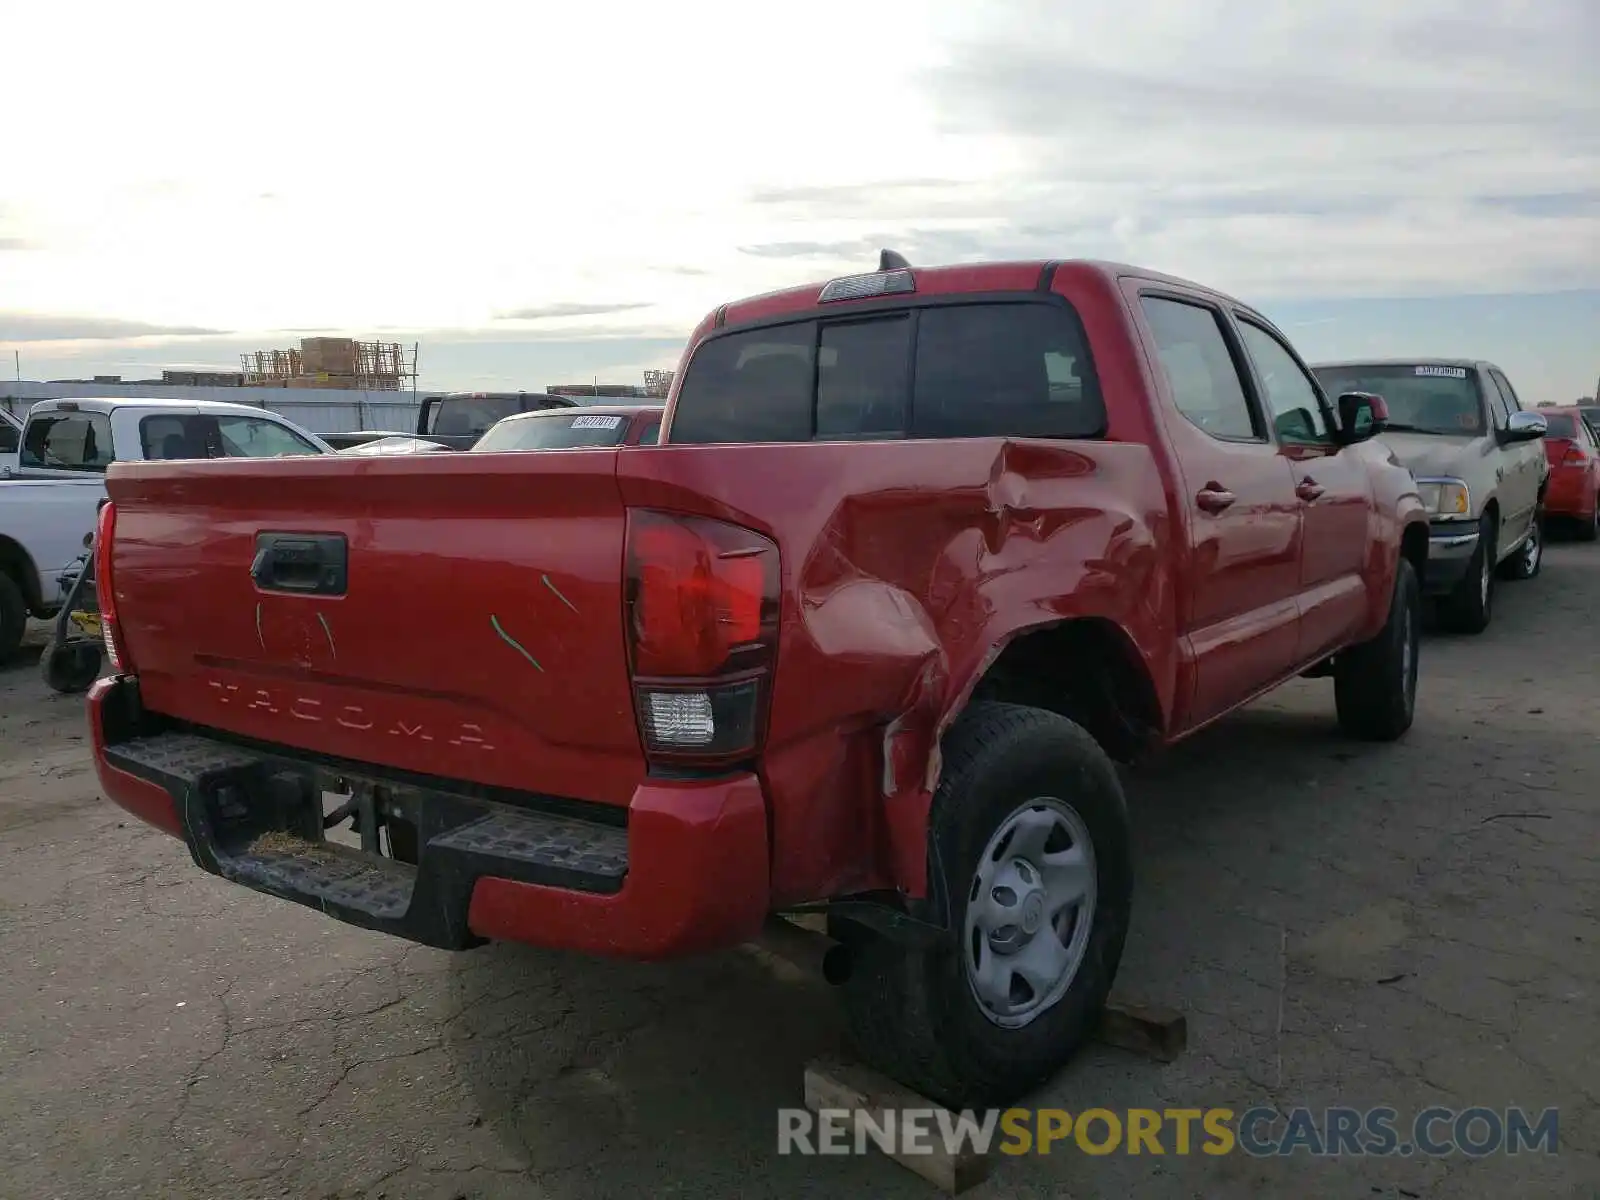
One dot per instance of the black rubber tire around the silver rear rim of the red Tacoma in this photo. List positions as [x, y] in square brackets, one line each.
[913, 1012]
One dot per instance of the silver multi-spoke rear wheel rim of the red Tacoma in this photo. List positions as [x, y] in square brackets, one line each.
[1030, 913]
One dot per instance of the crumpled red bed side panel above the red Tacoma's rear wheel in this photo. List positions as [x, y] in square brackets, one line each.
[906, 567]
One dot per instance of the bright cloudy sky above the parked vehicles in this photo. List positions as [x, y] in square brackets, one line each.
[545, 194]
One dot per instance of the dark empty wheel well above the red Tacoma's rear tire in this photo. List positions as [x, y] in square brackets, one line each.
[1087, 671]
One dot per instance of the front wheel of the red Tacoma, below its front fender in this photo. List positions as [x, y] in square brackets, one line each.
[1375, 684]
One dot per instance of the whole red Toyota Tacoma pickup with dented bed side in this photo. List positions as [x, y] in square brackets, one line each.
[919, 556]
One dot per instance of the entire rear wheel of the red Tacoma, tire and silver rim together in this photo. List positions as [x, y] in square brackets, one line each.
[1030, 844]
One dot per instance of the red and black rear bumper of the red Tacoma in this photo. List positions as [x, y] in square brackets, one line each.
[687, 873]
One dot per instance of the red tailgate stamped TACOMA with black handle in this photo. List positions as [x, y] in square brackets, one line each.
[476, 636]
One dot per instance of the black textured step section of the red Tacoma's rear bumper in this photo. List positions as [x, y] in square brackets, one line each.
[247, 817]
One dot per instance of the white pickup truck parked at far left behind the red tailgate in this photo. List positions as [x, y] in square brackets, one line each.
[50, 502]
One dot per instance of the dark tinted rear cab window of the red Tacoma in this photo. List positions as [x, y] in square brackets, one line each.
[938, 372]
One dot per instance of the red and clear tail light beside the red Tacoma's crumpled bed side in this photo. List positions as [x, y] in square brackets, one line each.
[703, 633]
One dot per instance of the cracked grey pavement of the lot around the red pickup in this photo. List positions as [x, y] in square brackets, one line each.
[1358, 926]
